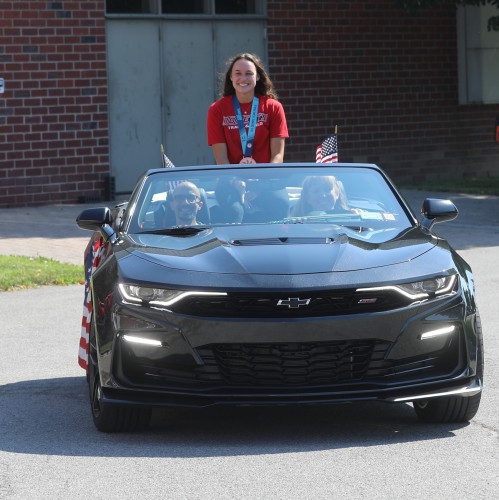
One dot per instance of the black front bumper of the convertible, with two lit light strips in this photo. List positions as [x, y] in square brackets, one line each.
[201, 361]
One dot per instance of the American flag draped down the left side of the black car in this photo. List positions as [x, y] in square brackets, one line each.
[94, 256]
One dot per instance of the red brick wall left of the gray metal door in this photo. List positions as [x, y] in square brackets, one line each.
[53, 114]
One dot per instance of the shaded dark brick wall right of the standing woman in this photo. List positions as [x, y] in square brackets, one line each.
[389, 81]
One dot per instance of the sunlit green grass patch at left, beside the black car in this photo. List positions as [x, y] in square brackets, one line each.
[17, 273]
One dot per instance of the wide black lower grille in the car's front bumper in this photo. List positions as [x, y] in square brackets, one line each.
[305, 366]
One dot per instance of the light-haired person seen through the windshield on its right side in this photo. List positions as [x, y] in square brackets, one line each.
[321, 194]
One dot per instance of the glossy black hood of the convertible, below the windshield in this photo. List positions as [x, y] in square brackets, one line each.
[280, 249]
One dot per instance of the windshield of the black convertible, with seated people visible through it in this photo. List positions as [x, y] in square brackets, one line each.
[183, 201]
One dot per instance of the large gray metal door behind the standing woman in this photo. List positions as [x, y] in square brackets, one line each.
[163, 75]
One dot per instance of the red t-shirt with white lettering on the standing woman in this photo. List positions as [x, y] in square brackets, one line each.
[222, 127]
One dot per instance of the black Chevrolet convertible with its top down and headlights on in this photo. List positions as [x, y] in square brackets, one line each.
[276, 284]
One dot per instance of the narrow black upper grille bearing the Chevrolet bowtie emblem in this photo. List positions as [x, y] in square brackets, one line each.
[265, 305]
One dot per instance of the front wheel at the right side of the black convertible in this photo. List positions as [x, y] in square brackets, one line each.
[454, 408]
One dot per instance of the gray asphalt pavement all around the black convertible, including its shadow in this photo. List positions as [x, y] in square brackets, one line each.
[46, 427]
